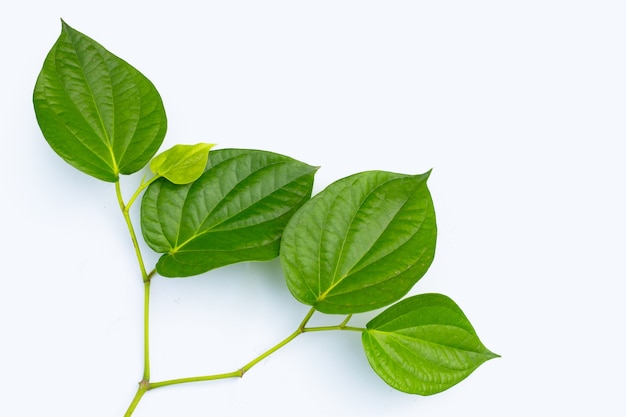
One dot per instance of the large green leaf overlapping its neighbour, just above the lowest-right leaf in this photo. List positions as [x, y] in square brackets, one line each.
[360, 244]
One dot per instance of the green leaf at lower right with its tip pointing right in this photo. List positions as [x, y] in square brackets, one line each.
[423, 345]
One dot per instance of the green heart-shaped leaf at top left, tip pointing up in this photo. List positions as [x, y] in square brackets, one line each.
[96, 111]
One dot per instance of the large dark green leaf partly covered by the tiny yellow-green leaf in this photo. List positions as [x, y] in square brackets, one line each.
[236, 211]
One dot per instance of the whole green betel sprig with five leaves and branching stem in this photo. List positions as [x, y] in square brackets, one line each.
[359, 245]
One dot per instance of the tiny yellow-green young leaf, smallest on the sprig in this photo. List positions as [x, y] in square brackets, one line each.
[182, 164]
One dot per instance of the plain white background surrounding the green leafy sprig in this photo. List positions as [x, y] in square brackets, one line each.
[518, 106]
